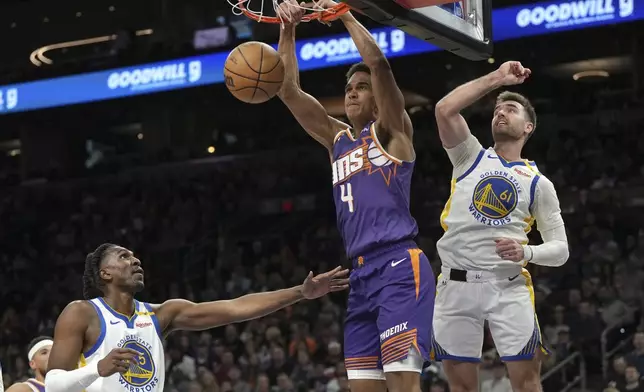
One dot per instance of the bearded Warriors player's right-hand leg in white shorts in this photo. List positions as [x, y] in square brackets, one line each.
[515, 330]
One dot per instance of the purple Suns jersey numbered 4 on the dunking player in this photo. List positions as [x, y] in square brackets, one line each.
[371, 192]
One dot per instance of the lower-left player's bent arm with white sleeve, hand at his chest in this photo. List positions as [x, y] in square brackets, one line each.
[63, 374]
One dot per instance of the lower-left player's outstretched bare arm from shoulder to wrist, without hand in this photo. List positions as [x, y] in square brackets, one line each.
[180, 314]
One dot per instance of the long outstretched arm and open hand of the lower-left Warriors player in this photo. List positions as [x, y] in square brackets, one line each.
[185, 315]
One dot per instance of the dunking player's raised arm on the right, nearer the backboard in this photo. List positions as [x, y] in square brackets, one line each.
[389, 99]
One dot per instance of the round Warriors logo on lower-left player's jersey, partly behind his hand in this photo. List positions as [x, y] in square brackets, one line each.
[141, 376]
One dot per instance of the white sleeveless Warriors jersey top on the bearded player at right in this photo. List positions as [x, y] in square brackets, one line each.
[492, 199]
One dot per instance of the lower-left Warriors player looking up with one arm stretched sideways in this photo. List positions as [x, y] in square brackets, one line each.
[119, 340]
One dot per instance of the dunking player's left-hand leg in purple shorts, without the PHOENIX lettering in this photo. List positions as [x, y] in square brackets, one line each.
[361, 346]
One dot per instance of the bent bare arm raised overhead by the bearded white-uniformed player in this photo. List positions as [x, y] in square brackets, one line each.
[452, 128]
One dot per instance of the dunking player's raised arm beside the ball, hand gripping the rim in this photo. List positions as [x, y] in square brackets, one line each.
[307, 110]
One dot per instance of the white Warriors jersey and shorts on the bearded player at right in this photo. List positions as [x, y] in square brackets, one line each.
[490, 198]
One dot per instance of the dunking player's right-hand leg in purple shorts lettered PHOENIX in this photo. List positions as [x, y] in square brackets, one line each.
[405, 308]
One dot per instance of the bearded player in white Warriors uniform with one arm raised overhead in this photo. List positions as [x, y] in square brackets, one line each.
[496, 196]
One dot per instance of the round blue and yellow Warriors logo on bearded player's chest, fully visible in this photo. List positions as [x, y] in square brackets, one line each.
[495, 197]
